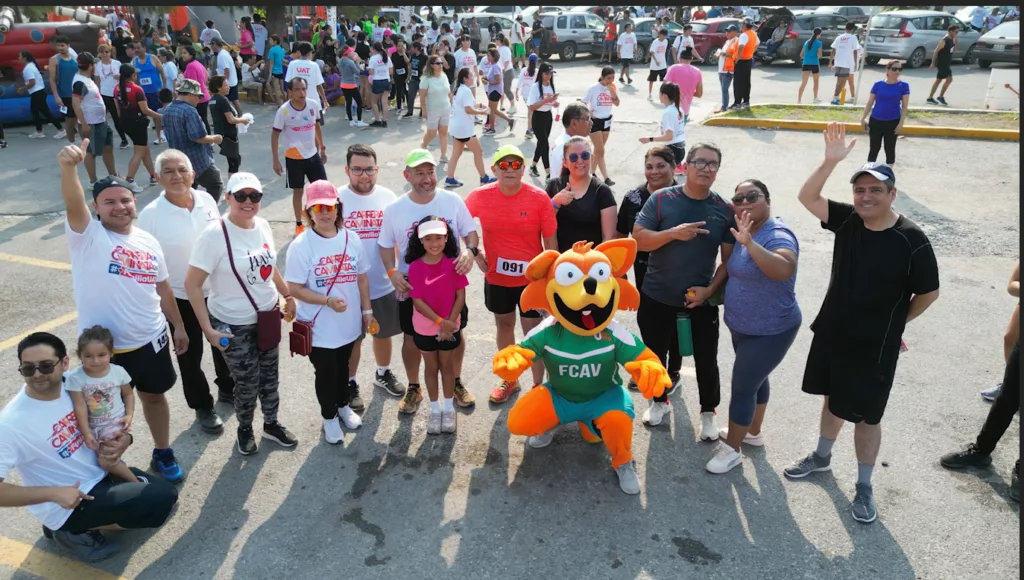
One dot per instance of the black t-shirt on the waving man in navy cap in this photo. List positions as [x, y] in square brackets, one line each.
[874, 277]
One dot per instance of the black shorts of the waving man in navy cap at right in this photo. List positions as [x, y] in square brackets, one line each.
[858, 385]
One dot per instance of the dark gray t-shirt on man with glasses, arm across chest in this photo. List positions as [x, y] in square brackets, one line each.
[678, 266]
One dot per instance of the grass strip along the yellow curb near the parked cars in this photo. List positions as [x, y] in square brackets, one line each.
[919, 117]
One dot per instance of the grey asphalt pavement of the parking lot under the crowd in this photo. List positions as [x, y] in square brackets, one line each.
[393, 503]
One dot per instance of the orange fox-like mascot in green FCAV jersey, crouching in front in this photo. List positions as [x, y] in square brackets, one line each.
[582, 348]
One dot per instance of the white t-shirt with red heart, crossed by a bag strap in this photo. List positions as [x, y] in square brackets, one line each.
[255, 257]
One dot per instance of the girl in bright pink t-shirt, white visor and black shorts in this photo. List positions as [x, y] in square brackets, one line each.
[439, 296]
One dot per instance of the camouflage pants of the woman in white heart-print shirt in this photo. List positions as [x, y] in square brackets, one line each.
[254, 371]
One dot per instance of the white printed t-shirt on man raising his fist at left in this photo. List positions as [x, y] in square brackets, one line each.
[115, 282]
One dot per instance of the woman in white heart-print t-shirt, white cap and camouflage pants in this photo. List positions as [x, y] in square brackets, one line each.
[244, 281]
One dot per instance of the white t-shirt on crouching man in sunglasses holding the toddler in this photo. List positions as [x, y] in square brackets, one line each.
[42, 441]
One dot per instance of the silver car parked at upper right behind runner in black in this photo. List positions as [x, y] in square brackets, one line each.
[913, 36]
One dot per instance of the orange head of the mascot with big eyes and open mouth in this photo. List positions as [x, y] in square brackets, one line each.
[583, 287]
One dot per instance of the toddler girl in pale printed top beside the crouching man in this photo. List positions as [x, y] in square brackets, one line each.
[104, 399]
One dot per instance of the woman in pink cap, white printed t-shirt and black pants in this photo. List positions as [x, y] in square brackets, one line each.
[327, 274]
